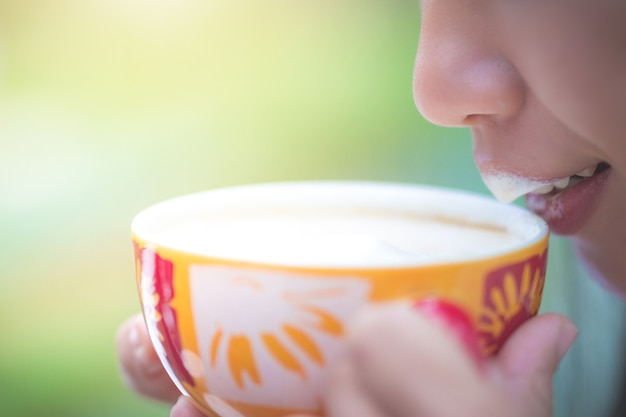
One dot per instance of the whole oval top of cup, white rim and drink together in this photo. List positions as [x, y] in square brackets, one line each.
[285, 227]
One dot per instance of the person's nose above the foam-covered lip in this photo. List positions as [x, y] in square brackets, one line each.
[461, 73]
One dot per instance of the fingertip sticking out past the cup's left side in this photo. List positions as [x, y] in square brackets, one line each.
[140, 366]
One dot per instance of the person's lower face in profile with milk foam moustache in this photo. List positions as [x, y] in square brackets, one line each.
[542, 85]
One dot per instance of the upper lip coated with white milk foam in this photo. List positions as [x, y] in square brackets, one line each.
[507, 186]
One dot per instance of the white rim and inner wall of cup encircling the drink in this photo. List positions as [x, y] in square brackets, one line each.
[449, 203]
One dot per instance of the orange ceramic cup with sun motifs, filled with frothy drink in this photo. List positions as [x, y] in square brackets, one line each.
[247, 291]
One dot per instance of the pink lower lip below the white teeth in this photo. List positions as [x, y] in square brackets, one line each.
[567, 212]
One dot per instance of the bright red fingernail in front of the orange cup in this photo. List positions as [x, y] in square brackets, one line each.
[456, 320]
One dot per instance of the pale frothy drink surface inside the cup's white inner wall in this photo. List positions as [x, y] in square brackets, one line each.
[335, 238]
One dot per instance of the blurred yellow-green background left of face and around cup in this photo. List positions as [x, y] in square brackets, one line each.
[108, 106]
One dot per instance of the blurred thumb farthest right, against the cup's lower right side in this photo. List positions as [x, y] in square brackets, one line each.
[531, 356]
